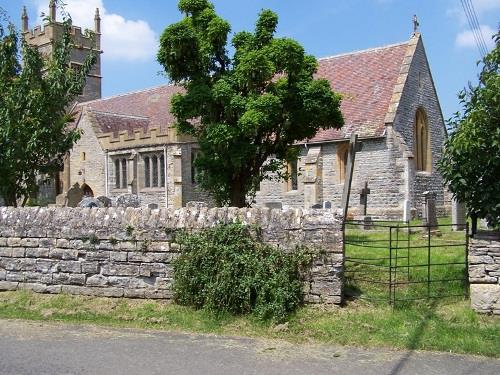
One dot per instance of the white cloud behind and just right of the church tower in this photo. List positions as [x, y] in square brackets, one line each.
[121, 39]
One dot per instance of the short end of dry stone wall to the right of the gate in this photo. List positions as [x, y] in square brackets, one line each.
[484, 275]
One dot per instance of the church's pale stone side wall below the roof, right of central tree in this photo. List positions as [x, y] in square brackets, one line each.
[378, 163]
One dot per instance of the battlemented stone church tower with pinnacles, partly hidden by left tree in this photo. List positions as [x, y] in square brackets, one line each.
[44, 38]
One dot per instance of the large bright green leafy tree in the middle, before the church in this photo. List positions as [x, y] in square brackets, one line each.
[246, 111]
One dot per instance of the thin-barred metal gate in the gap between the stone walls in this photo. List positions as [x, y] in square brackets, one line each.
[395, 262]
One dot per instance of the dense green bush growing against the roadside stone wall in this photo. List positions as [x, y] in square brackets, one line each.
[227, 269]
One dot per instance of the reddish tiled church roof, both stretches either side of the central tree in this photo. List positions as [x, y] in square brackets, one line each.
[366, 80]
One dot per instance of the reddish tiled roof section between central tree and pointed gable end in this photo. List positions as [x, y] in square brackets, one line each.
[366, 80]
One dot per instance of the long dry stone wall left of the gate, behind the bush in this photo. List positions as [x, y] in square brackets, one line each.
[116, 252]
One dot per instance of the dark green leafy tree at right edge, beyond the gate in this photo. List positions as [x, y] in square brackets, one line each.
[471, 160]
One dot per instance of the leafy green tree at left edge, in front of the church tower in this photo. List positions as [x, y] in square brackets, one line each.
[37, 92]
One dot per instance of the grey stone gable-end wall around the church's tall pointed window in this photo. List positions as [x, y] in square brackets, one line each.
[419, 92]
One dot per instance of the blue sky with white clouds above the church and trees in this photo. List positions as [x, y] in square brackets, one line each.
[131, 29]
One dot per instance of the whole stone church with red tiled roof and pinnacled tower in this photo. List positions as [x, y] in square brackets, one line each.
[128, 144]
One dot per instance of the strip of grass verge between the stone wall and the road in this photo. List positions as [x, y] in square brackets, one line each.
[435, 326]
